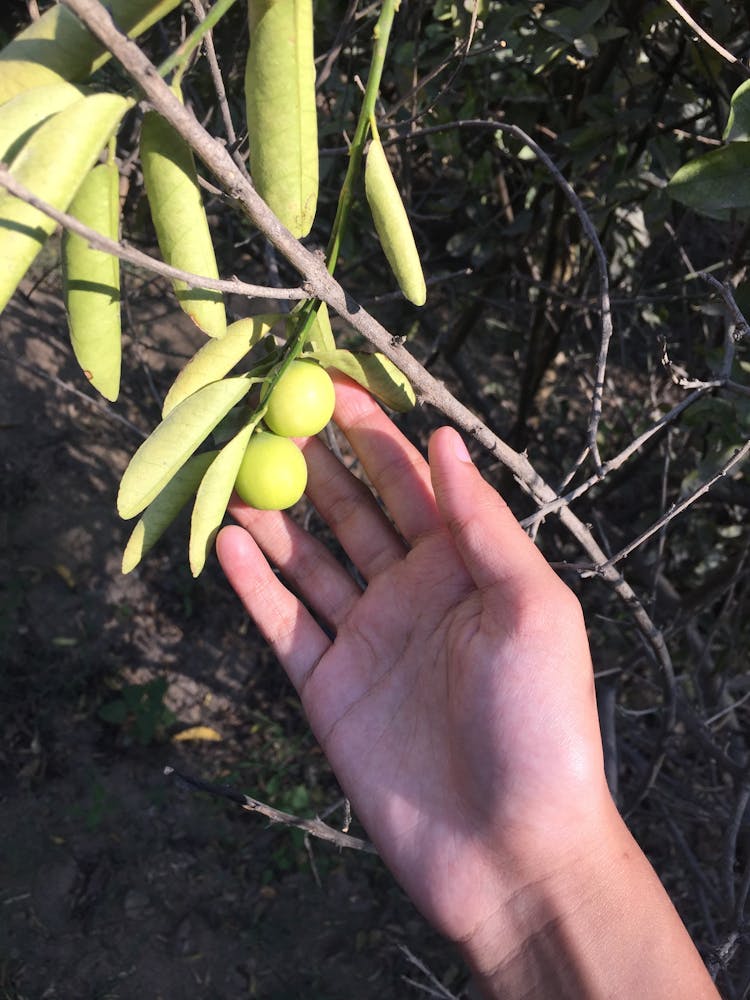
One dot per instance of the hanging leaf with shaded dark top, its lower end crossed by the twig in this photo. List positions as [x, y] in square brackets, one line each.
[180, 221]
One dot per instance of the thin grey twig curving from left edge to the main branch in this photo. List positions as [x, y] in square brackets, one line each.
[137, 257]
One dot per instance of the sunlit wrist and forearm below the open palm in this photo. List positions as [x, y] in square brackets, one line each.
[605, 928]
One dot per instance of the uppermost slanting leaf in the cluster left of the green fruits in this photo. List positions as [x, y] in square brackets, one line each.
[218, 357]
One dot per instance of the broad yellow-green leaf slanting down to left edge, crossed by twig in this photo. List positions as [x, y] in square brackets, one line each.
[52, 164]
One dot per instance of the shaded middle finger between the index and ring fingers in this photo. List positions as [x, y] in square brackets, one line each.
[351, 511]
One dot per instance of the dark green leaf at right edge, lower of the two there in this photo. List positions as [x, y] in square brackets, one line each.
[717, 183]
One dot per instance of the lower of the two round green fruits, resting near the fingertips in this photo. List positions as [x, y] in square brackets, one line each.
[273, 473]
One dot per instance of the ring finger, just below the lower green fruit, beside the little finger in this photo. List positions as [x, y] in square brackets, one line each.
[304, 562]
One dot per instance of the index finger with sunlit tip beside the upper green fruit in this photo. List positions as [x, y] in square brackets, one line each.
[394, 466]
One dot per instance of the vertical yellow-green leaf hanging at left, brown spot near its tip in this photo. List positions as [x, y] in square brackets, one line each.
[91, 282]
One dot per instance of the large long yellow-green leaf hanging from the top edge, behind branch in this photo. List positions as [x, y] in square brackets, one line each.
[281, 112]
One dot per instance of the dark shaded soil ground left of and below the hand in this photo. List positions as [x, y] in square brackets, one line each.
[116, 881]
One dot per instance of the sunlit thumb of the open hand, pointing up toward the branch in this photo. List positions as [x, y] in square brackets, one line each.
[491, 542]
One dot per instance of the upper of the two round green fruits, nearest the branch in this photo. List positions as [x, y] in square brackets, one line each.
[302, 401]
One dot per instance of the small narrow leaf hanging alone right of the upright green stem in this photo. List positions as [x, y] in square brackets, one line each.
[392, 224]
